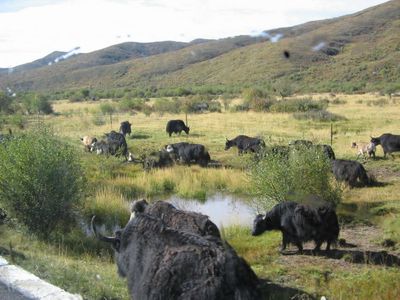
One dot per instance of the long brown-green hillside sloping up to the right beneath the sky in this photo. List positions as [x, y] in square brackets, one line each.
[358, 52]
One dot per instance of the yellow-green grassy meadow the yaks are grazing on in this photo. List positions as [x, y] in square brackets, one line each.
[87, 267]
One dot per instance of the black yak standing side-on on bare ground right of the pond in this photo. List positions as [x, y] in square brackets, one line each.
[300, 223]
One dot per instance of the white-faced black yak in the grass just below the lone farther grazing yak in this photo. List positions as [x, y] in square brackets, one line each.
[187, 153]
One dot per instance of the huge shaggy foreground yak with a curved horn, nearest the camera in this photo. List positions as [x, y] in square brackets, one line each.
[165, 263]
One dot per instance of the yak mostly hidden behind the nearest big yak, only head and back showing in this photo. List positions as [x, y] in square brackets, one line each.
[175, 218]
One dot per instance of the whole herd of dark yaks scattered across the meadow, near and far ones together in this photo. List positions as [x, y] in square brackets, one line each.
[167, 253]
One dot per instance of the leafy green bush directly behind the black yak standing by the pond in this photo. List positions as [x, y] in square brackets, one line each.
[301, 175]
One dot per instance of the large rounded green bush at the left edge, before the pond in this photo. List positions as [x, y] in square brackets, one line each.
[40, 181]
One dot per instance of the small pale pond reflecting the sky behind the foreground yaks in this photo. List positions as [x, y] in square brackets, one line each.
[223, 210]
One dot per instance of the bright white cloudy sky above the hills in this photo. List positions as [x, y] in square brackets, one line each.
[32, 29]
